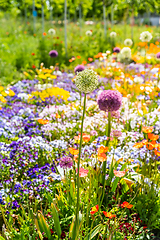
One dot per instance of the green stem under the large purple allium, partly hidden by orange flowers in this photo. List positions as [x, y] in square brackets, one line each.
[108, 131]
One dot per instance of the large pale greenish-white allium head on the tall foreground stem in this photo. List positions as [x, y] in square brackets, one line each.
[86, 81]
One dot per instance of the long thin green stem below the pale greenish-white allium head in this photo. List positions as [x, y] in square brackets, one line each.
[79, 156]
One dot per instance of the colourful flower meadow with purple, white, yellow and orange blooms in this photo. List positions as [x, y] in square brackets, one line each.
[79, 134]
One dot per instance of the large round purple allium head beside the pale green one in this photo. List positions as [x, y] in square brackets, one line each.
[109, 100]
